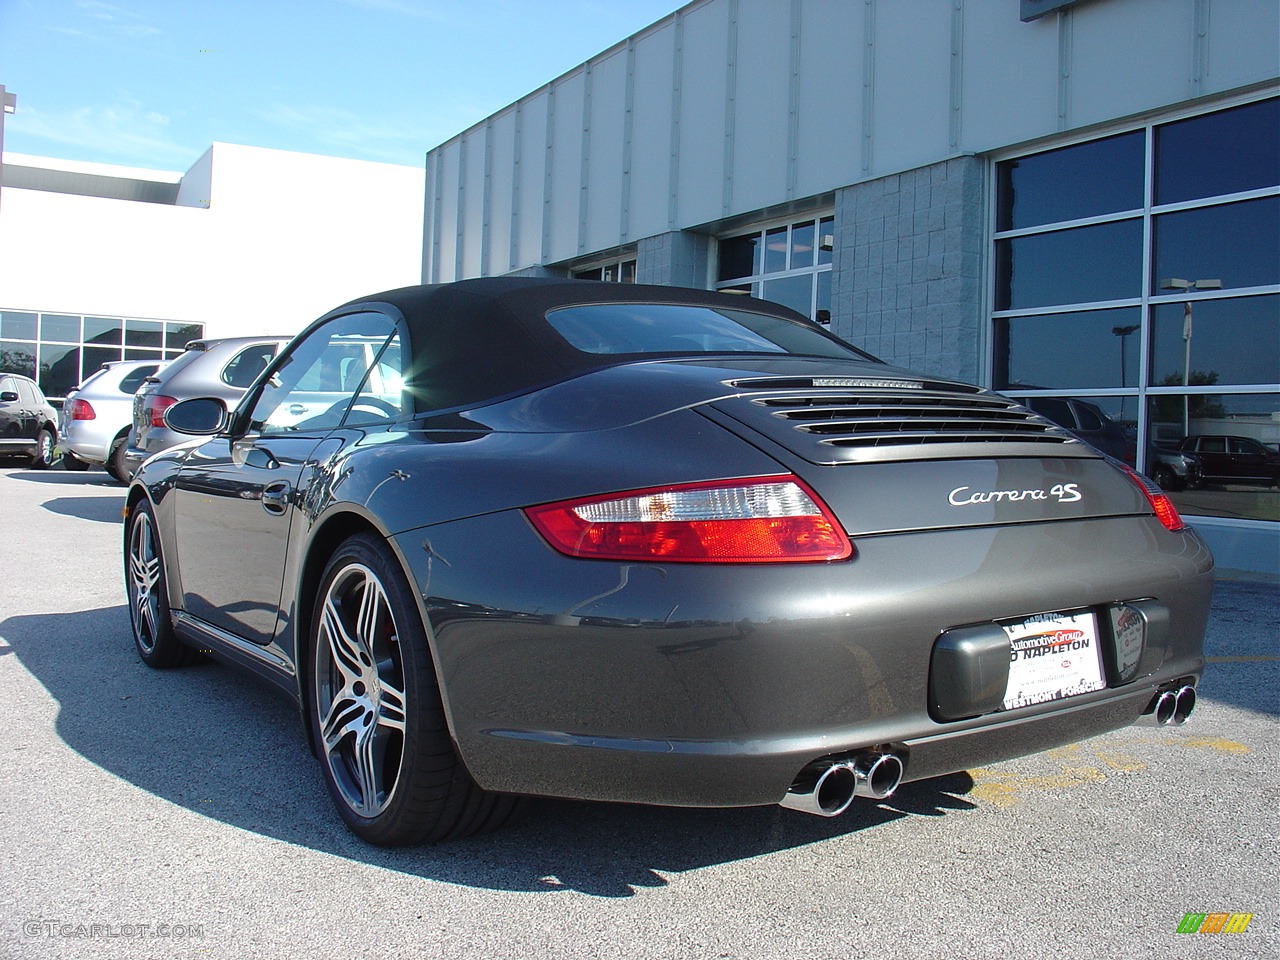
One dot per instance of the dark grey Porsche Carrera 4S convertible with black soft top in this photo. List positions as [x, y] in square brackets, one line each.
[611, 542]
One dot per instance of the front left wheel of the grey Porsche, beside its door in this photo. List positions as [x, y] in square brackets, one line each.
[148, 591]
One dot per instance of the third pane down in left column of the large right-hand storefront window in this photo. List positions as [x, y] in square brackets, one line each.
[1086, 350]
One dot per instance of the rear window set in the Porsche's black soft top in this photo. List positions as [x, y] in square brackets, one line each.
[675, 330]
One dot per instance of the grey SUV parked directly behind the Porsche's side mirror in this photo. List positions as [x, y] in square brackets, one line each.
[222, 369]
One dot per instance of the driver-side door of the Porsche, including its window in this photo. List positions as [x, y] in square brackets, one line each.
[239, 495]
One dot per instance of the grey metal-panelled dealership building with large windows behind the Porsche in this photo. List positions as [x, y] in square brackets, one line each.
[1073, 203]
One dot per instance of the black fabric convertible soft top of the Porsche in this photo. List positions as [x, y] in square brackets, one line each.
[474, 341]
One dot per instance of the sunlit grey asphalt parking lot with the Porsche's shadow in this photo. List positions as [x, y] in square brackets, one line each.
[180, 815]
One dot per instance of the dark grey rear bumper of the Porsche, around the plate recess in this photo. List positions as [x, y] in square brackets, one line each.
[687, 685]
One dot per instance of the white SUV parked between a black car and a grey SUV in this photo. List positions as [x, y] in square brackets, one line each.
[98, 415]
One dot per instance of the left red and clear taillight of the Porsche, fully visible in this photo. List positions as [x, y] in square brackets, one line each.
[760, 520]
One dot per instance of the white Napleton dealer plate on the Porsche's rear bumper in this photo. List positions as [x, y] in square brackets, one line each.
[1054, 656]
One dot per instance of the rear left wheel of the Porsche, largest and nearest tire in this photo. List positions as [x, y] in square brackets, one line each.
[376, 710]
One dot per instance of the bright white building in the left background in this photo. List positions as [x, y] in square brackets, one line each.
[106, 263]
